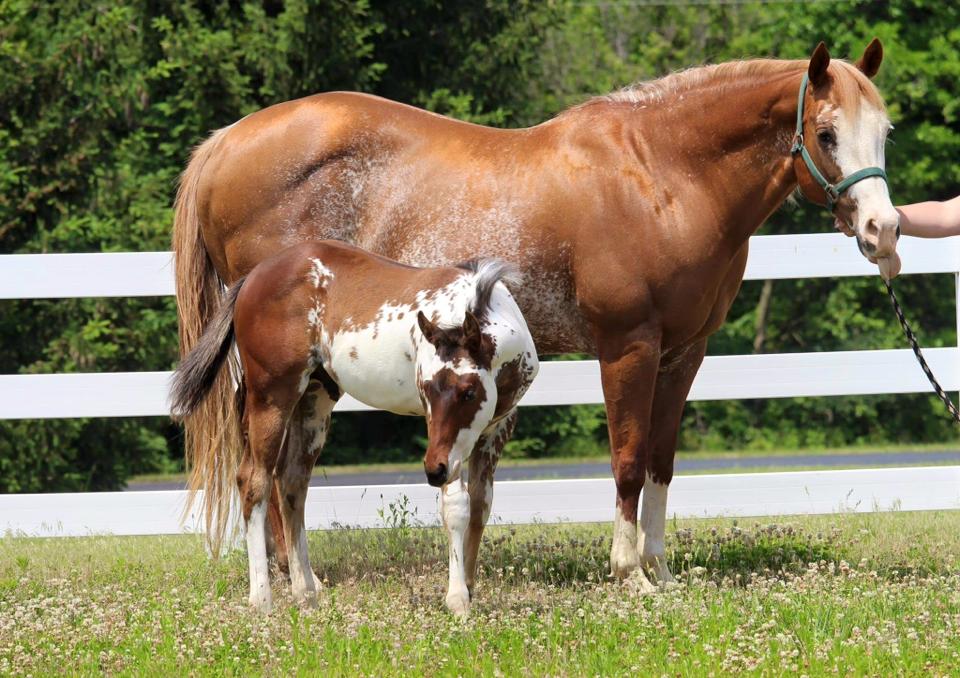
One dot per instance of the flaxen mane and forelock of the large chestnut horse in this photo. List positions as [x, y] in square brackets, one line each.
[716, 75]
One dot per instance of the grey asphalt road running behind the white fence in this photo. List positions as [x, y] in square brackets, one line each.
[602, 469]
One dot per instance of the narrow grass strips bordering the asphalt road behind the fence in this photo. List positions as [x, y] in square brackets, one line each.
[744, 455]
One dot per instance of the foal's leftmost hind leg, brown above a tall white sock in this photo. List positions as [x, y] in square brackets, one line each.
[265, 427]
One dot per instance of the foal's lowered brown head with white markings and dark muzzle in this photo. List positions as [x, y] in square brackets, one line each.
[458, 391]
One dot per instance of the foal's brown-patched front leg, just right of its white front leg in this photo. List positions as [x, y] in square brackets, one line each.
[483, 463]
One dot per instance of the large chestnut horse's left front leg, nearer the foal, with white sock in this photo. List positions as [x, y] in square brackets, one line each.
[628, 371]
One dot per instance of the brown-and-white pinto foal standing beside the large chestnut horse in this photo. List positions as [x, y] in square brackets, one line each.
[321, 319]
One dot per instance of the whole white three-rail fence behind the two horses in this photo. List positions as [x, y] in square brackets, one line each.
[560, 383]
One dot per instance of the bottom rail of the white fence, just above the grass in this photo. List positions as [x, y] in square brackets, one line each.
[515, 502]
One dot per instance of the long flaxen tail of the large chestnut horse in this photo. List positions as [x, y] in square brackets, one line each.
[212, 437]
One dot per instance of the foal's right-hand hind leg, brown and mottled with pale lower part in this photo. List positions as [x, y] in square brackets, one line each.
[310, 421]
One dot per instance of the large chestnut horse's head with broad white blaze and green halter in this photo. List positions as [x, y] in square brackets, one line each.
[845, 127]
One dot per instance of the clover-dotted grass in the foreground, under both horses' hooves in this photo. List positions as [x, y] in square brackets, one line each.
[848, 594]
